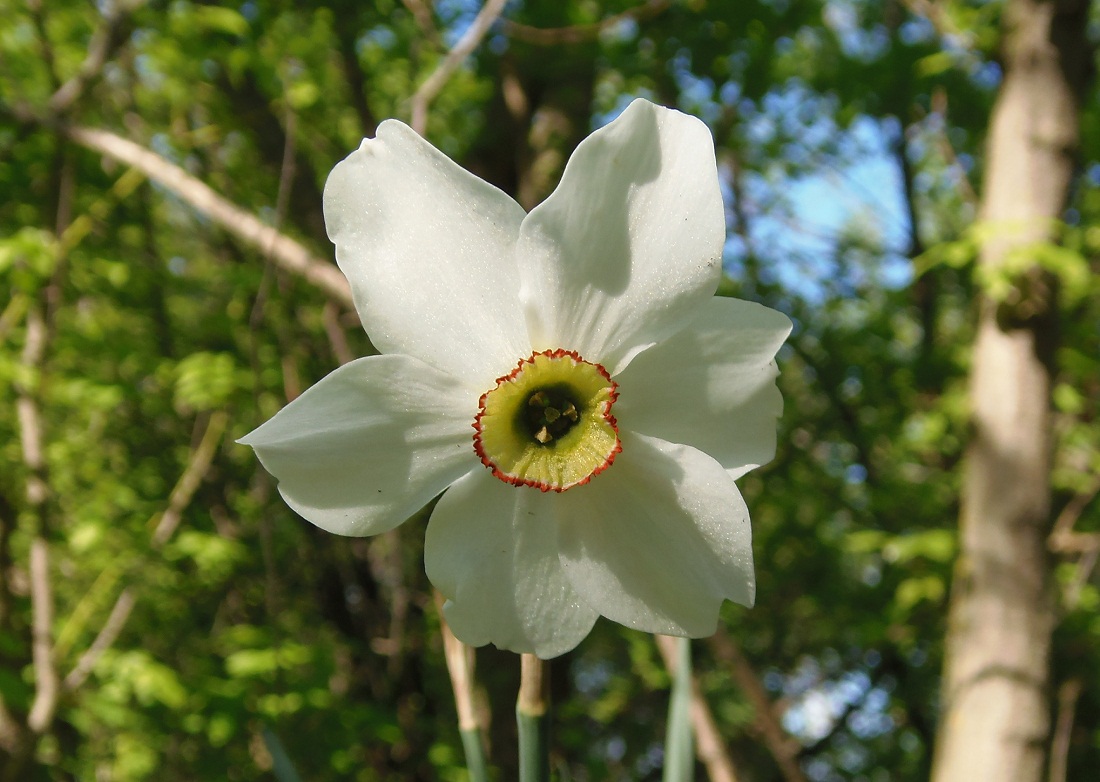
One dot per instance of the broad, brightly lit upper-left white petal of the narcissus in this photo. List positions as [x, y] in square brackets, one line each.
[430, 251]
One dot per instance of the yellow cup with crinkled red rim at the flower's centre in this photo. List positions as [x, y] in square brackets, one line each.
[548, 424]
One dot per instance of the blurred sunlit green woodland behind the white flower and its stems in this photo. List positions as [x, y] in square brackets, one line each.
[916, 183]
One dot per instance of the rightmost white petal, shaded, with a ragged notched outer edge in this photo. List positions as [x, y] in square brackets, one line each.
[712, 386]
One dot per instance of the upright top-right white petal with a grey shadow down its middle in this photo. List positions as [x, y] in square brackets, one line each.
[631, 243]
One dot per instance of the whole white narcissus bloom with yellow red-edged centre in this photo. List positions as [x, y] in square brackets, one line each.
[566, 378]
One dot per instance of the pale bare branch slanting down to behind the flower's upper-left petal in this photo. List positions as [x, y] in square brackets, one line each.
[284, 251]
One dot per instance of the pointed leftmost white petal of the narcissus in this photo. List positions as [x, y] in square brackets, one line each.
[370, 445]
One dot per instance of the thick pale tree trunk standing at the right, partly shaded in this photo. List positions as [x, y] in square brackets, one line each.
[996, 708]
